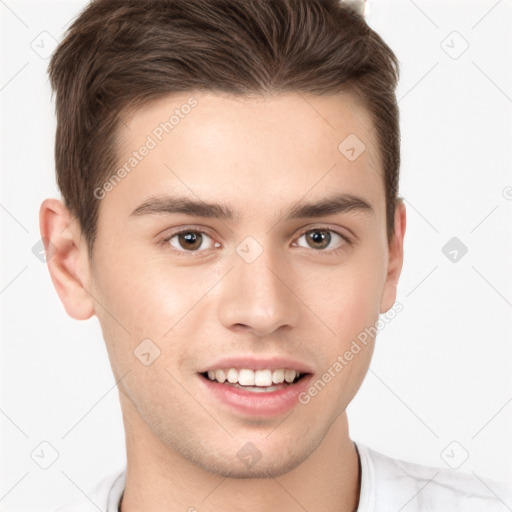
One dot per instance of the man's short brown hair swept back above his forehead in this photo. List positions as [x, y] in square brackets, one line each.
[120, 54]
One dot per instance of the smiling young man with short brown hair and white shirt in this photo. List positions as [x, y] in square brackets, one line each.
[230, 213]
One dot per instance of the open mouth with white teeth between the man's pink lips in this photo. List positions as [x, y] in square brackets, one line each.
[257, 381]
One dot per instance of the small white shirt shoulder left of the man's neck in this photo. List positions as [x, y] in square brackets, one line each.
[105, 495]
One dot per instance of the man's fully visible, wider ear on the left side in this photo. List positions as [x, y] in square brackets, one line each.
[67, 258]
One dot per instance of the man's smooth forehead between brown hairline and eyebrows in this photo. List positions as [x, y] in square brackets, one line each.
[220, 146]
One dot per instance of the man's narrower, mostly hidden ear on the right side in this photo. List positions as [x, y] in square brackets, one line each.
[396, 258]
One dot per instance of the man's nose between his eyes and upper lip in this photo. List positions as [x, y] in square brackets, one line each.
[258, 296]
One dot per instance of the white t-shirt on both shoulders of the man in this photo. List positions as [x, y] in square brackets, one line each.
[387, 485]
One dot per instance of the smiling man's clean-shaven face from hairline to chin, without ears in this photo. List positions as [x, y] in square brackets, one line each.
[269, 285]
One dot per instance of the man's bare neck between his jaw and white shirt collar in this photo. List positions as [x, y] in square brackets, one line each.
[160, 479]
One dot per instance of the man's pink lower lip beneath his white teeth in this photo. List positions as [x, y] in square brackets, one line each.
[250, 403]
